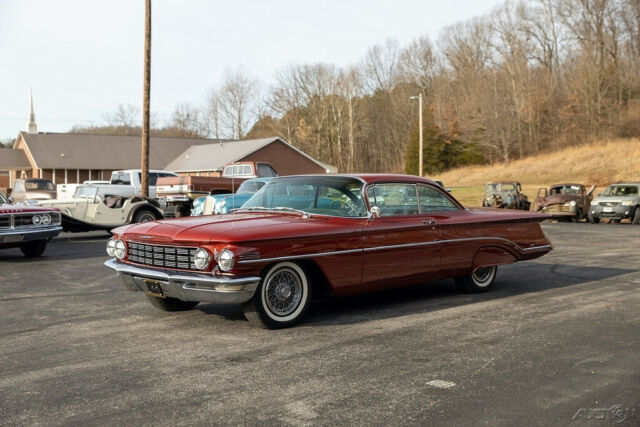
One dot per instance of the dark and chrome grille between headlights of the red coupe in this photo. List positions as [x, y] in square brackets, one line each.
[161, 256]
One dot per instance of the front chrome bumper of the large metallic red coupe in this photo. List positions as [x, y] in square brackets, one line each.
[186, 286]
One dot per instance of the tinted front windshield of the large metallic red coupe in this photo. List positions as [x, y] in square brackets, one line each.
[324, 195]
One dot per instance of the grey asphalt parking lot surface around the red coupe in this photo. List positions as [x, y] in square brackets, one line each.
[555, 342]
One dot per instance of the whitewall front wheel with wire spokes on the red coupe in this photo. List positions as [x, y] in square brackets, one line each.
[282, 298]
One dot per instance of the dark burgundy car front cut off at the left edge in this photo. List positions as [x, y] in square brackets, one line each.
[27, 227]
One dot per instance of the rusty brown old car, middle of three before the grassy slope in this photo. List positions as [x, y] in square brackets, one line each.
[564, 201]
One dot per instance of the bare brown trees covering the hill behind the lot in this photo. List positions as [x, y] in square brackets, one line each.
[529, 76]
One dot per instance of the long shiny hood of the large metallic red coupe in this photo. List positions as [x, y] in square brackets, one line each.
[231, 228]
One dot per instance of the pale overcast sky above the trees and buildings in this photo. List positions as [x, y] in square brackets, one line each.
[84, 57]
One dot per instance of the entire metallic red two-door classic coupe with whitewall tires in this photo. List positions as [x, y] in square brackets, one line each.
[347, 234]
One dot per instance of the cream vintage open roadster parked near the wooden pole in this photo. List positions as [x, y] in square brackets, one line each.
[88, 211]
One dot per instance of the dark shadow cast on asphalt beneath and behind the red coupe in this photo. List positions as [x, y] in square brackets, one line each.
[512, 280]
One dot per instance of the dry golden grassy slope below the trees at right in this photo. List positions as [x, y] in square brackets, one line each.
[599, 163]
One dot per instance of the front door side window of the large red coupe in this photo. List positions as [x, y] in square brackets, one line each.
[394, 199]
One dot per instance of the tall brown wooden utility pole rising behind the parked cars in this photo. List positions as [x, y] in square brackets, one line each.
[146, 99]
